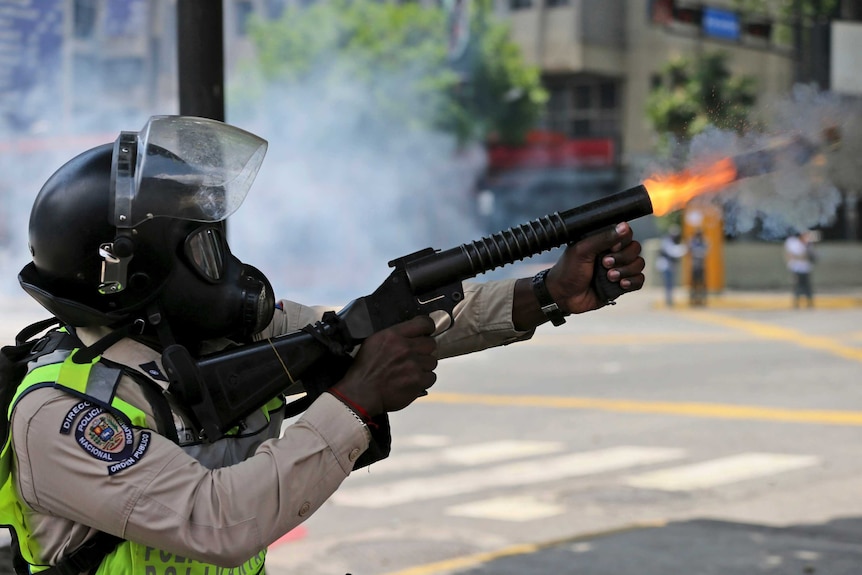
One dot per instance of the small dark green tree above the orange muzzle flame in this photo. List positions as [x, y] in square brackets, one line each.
[695, 93]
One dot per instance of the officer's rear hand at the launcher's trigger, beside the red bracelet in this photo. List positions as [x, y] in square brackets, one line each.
[392, 368]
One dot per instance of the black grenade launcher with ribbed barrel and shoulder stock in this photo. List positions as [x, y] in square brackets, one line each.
[223, 388]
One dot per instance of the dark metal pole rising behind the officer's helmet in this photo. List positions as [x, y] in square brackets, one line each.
[200, 47]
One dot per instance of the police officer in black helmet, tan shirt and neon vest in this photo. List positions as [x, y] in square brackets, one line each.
[106, 470]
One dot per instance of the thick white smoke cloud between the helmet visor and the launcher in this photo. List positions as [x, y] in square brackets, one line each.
[346, 187]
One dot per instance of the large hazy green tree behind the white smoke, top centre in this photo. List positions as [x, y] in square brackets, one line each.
[488, 90]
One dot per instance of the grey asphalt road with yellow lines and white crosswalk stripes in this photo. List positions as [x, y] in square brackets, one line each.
[634, 440]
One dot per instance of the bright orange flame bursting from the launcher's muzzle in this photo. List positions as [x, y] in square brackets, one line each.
[669, 192]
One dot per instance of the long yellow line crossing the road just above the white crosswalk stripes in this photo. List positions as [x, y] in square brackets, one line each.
[690, 409]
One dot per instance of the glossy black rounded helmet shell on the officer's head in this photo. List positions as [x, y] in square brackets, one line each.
[69, 222]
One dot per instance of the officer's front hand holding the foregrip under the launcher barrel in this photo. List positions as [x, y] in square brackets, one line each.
[571, 283]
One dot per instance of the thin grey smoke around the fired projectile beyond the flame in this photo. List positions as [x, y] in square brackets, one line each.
[788, 190]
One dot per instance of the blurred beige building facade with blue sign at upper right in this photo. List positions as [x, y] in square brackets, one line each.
[600, 59]
